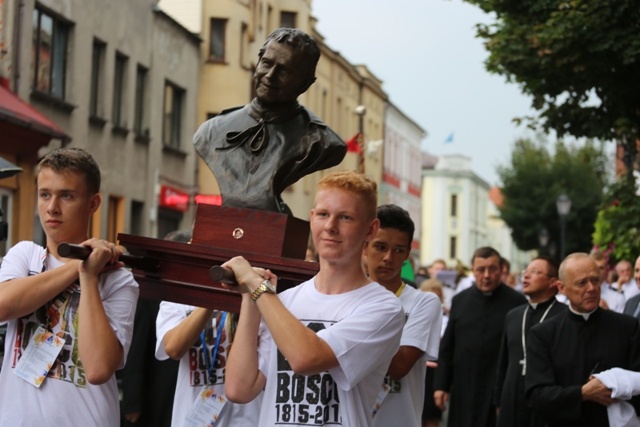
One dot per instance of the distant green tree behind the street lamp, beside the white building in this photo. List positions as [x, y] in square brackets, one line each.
[536, 177]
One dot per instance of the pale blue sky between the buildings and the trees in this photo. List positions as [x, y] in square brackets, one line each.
[431, 65]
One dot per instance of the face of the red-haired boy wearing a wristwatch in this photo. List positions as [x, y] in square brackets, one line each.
[339, 226]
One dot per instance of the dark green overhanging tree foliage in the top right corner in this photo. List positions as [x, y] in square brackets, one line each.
[578, 59]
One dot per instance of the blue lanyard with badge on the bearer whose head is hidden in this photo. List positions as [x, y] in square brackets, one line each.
[209, 402]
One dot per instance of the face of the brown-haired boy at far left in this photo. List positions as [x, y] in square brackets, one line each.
[65, 205]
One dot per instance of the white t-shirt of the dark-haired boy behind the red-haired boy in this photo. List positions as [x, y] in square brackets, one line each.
[403, 404]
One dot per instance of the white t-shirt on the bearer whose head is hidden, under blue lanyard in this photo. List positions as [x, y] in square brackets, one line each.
[192, 373]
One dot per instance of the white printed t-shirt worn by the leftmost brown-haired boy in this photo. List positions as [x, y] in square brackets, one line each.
[65, 398]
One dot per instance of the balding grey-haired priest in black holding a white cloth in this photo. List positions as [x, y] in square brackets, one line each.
[565, 351]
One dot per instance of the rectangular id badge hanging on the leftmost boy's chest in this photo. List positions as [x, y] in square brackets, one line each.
[39, 356]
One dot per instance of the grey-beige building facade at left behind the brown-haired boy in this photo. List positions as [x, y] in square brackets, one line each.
[120, 79]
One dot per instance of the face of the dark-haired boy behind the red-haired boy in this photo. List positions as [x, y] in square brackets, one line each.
[385, 255]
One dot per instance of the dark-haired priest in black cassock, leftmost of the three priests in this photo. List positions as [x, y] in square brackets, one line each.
[467, 363]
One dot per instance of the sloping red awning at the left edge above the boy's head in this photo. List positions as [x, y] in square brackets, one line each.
[14, 110]
